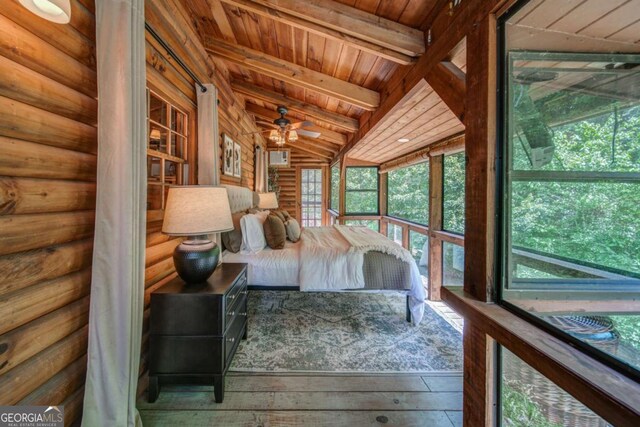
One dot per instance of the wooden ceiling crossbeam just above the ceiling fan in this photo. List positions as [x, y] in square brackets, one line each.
[263, 94]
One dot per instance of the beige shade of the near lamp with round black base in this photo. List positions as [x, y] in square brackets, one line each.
[197, 209]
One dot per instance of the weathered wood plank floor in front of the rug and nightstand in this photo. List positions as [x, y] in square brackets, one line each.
[259, 400]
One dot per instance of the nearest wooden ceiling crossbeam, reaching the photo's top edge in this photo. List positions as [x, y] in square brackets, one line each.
[280, 15]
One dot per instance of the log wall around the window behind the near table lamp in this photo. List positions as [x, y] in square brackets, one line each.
[169, 19]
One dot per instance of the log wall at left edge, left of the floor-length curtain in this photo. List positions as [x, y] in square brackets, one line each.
[48, 146]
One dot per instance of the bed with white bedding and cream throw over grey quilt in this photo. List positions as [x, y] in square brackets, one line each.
[334, 259]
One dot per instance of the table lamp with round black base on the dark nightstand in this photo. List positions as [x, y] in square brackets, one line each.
[195, 211]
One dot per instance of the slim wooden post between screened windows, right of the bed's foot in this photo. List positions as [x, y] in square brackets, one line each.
[435, 223]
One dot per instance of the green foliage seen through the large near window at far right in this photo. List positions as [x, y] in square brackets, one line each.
[596, 222]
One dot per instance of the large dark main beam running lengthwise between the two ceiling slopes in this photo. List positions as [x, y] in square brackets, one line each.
[447, 30]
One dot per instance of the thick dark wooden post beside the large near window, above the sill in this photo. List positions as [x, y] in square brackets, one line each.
[480, 145]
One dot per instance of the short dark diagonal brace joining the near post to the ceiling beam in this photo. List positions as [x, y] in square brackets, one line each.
[449, 82]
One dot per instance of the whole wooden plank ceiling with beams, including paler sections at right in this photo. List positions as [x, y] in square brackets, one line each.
[334, 63]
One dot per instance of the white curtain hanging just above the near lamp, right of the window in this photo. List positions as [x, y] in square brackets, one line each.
[208, 139]
